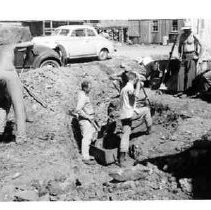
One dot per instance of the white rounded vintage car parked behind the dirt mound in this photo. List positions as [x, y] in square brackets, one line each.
[77, 41]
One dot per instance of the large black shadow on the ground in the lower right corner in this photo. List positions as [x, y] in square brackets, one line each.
[193, 164]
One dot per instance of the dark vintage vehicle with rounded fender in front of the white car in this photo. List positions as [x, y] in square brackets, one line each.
[29, 55]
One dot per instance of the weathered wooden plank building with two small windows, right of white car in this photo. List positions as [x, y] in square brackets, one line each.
[152, 31]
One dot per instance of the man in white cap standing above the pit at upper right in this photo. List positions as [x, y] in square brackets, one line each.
[190, 50]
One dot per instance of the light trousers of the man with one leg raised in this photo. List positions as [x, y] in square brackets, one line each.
[141, 113]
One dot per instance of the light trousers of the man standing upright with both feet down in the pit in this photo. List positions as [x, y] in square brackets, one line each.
[87, 131]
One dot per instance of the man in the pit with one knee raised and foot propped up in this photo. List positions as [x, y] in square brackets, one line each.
[129, 112]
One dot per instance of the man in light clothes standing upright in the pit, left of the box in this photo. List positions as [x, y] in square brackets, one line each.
[86, 113]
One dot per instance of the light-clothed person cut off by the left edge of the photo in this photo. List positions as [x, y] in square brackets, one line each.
[11, 94]
